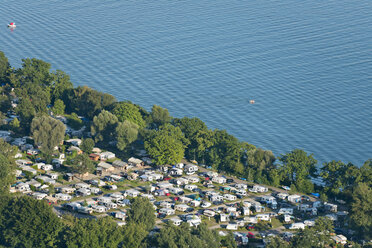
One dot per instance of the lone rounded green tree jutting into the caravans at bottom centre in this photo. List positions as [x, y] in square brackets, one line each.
[141, 212]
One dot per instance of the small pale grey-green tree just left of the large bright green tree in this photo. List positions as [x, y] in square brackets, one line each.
[126, 133]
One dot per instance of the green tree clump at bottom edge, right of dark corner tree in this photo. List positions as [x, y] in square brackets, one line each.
[91, 233]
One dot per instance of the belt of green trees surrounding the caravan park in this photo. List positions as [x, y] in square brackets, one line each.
[34, 100]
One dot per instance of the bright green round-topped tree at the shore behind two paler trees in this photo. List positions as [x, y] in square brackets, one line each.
[126, 111]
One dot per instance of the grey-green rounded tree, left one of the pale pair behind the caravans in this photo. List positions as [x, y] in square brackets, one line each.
[103, 127]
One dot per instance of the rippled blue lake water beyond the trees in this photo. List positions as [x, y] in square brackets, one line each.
[307, 64]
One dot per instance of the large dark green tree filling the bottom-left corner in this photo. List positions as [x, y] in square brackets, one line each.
[26, 222]
